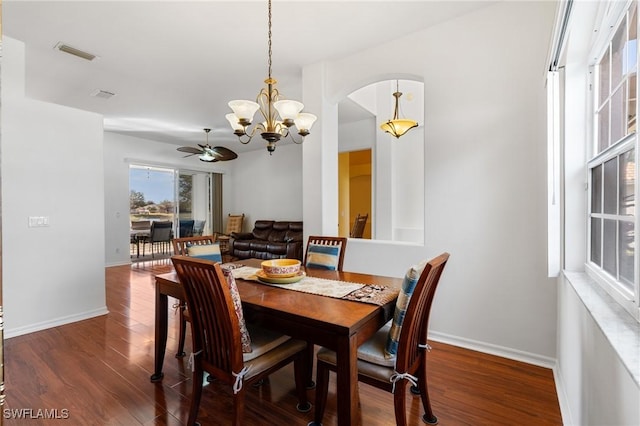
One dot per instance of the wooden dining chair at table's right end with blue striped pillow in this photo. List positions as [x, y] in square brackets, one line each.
[379, 368]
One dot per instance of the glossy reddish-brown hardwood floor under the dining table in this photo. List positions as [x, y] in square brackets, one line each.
[96, 372]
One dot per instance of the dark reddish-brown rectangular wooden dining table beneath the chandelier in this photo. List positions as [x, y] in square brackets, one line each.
[338, 324]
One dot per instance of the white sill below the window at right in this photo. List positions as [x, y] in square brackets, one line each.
[618, 326]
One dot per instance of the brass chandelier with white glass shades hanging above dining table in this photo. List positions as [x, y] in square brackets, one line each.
[279, 115]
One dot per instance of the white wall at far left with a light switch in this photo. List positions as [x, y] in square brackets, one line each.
[51, 166]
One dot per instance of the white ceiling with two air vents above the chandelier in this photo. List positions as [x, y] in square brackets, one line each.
[174, 65]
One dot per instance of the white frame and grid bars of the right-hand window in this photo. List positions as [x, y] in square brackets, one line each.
[629, 299]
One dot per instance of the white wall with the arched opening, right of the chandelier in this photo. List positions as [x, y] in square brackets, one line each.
[485, 141]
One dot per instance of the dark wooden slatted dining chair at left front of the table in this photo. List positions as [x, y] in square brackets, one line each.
[218, 338]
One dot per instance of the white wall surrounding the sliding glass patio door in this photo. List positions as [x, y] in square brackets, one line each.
[119, 152]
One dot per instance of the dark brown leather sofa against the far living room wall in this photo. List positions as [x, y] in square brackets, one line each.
[269, 240]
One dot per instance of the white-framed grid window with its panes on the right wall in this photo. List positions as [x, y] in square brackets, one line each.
[612, 258]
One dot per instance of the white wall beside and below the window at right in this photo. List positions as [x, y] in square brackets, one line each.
[595, 388]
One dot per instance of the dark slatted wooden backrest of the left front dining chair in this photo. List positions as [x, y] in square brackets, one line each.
[214, 322]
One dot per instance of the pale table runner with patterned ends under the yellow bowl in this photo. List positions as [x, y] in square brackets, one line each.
[374, 294]
